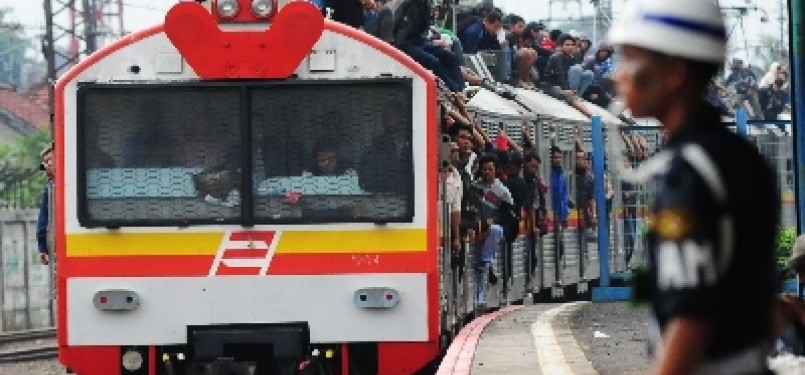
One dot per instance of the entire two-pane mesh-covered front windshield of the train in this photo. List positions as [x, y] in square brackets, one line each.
[165, 154]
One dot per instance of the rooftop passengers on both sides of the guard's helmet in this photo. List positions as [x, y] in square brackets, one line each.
[562, 64]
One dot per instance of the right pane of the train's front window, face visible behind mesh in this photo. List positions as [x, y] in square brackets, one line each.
[345, 155]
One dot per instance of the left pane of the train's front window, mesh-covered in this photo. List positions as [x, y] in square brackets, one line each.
[159, 156]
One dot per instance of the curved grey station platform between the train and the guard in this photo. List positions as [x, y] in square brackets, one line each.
[548, 339]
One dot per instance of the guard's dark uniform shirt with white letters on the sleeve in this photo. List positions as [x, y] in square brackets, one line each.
[712, 234]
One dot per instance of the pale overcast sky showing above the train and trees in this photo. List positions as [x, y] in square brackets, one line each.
[139, 14]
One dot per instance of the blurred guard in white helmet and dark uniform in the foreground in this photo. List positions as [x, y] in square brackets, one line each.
[712, 227]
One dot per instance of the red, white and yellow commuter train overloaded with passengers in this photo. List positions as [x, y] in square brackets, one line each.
[250, 188]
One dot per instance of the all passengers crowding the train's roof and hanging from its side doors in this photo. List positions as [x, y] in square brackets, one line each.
[494, 184]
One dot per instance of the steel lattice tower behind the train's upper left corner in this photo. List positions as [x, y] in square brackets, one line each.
[89, 25]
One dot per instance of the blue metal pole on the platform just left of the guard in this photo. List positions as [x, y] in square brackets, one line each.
[600, 200]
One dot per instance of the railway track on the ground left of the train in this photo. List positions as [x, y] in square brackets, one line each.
[36, 350]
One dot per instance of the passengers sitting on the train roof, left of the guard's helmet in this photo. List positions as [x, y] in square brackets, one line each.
[562, 64]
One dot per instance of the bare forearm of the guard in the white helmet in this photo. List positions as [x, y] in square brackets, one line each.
[684, 345]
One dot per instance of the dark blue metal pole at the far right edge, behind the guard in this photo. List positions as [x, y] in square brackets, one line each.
[797, 49]
